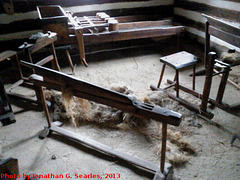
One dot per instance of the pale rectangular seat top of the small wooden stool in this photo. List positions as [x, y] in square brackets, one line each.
[179, 60]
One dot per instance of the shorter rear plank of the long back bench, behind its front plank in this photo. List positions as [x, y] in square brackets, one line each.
[144, 24]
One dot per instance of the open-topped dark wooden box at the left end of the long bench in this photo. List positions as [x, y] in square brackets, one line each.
[53, 18]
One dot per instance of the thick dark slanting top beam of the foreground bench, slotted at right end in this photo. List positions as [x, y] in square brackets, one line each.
[98, 94]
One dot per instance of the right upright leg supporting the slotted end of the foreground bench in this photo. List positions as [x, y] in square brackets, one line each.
[164, 143]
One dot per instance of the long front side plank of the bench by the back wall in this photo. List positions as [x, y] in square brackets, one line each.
[134, 34]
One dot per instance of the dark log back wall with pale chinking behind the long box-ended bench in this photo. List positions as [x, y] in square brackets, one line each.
[24, 22]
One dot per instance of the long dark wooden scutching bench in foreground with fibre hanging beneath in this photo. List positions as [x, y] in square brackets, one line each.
[52, 79]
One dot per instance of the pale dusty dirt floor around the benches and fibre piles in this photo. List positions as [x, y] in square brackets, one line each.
[137, 69]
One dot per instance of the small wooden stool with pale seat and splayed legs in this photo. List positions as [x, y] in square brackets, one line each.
[178, 61]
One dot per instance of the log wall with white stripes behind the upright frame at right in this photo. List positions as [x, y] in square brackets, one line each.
[189, 13]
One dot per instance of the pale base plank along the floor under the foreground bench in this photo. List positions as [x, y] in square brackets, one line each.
[106, 149]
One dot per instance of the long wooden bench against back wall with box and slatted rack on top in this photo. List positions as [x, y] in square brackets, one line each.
[101, 28]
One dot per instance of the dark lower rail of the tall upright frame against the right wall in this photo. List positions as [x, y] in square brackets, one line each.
[225, 36]
